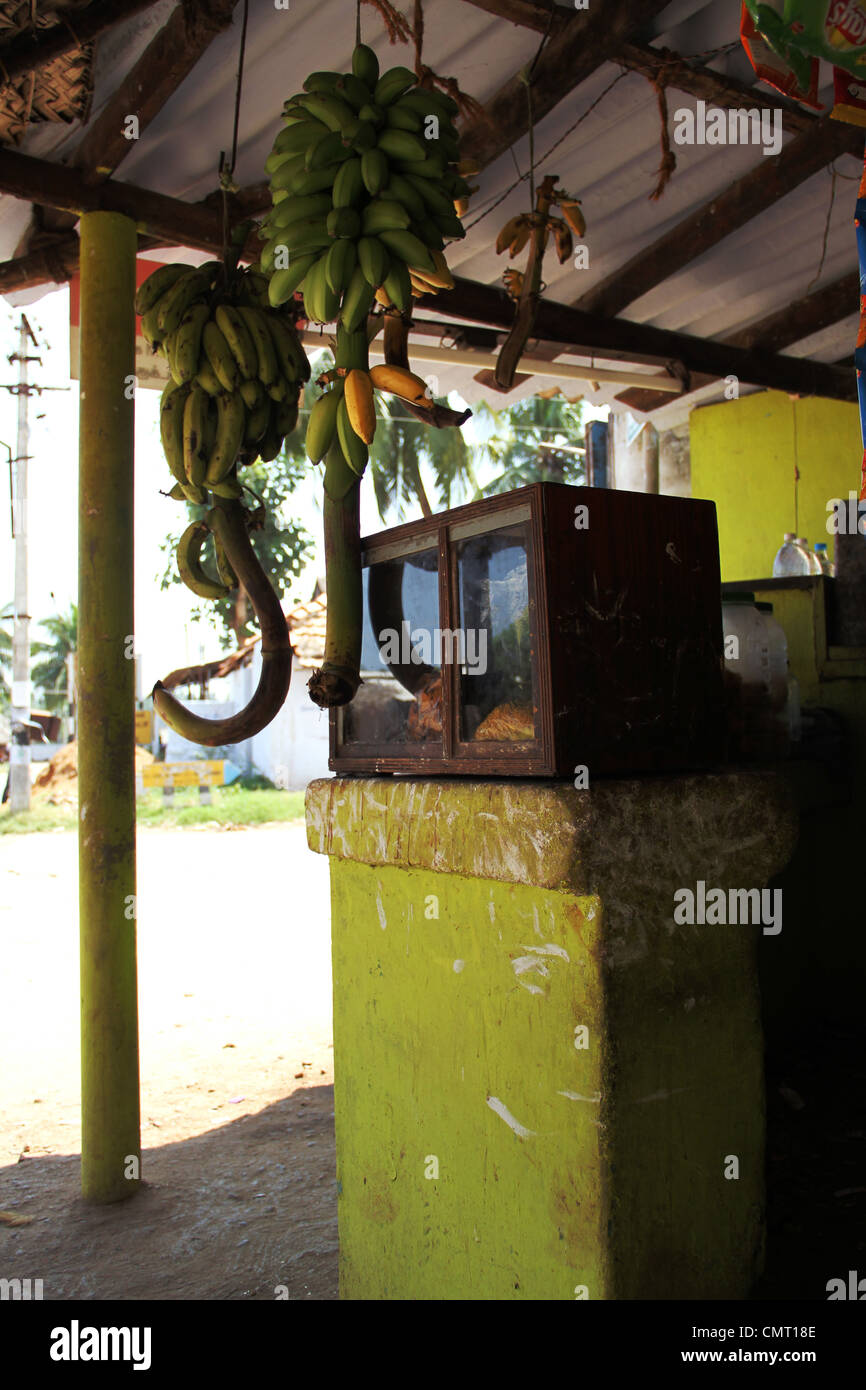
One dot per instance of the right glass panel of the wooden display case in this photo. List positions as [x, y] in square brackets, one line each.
[496, 635]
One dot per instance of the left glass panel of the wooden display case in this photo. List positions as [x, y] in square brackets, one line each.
[401, 697]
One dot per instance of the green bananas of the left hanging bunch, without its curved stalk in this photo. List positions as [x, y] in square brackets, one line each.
[237, 370]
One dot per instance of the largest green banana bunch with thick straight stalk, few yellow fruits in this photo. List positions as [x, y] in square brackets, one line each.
[366, 190]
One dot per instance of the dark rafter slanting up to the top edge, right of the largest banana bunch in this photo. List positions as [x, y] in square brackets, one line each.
[582, 45]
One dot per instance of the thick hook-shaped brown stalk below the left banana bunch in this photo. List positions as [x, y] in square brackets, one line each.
[227, 521]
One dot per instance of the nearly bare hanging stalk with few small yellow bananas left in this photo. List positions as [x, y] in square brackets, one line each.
[525, 287]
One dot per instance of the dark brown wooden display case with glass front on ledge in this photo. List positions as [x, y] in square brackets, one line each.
[537, 633]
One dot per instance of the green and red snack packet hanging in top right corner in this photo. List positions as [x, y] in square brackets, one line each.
[804, 30]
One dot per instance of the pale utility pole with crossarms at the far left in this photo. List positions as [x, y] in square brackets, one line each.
[20, 751]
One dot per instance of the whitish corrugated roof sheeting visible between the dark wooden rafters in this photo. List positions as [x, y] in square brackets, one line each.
[610, 161]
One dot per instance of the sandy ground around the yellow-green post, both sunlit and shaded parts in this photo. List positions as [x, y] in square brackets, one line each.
[237, 1072]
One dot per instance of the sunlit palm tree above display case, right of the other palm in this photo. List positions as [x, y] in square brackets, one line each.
[539, 440]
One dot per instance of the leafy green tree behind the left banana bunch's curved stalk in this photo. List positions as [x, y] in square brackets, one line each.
[283, 547]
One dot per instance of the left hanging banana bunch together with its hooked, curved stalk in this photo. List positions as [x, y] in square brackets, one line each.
[237, 375]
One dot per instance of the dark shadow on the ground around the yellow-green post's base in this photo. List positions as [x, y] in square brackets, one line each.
[230, 1214]
